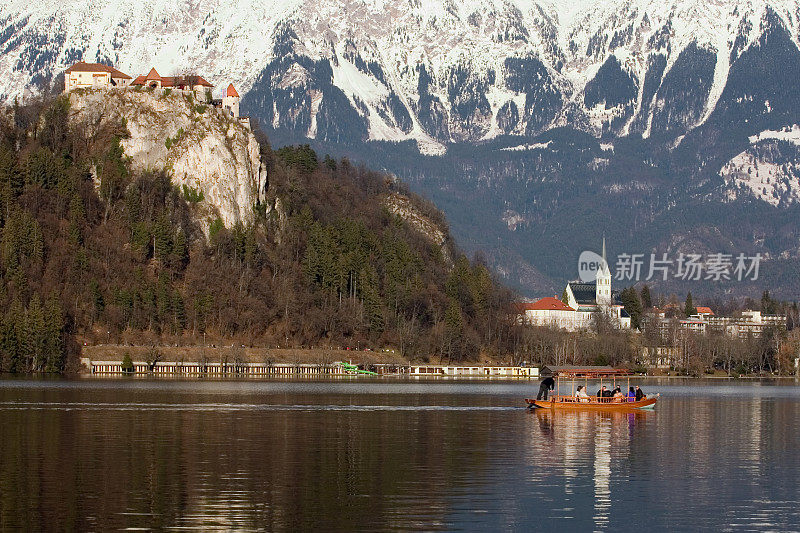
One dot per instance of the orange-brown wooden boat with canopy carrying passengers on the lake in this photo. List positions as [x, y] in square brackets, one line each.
[576, 374]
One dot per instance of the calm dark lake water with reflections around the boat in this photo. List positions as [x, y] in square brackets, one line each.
[98, 455]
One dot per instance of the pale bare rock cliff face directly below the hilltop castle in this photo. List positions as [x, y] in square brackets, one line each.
[196, 144]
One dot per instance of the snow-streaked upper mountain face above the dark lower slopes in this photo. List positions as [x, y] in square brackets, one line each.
[435, 71]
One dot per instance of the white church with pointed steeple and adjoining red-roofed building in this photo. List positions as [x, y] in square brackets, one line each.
[581, 300]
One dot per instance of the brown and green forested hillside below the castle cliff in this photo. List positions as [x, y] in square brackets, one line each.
[93, 252]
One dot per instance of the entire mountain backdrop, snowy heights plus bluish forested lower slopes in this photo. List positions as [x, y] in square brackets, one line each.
[670, 126]
